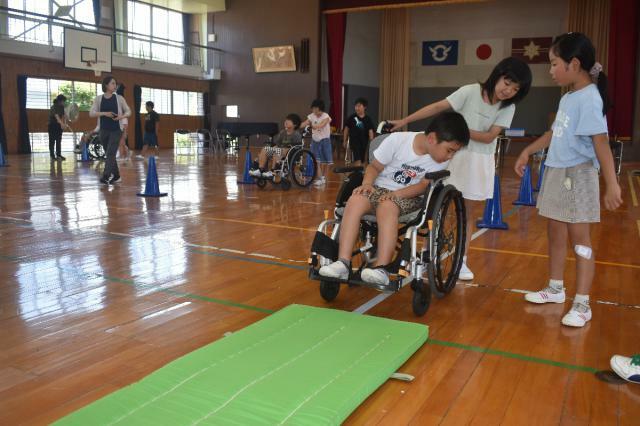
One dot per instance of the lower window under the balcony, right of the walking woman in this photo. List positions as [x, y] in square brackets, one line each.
[174, 102]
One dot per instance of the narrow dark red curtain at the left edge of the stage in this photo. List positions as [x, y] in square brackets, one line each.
[336, 26]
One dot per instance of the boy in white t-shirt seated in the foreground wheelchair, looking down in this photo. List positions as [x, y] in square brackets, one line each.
[393, 186]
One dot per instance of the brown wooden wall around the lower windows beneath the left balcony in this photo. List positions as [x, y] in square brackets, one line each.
[11, 67]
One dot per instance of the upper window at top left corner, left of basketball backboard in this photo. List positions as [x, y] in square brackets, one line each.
[33, 28]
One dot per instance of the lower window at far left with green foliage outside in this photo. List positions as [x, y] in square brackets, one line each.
[41, 92]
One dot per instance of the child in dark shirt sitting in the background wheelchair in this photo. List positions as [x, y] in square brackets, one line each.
[281, 143]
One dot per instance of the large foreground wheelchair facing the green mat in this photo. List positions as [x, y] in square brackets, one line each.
[430, 242]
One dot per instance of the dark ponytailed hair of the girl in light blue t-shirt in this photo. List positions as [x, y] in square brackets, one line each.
[577, 45]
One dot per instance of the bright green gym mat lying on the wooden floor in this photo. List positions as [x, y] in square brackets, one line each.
[301, 365]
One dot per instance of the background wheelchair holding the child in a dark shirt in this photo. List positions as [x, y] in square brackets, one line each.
[299, 165]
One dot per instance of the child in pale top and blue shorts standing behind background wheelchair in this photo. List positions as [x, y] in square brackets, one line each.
[321, 139]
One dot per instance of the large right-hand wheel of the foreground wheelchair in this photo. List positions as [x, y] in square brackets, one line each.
[449, 230]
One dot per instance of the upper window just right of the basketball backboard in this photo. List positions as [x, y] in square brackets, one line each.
[157, 33]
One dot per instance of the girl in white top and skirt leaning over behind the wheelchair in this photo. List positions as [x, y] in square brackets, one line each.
[488, 108]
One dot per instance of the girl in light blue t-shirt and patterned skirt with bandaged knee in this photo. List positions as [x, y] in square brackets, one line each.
[569, 196]
